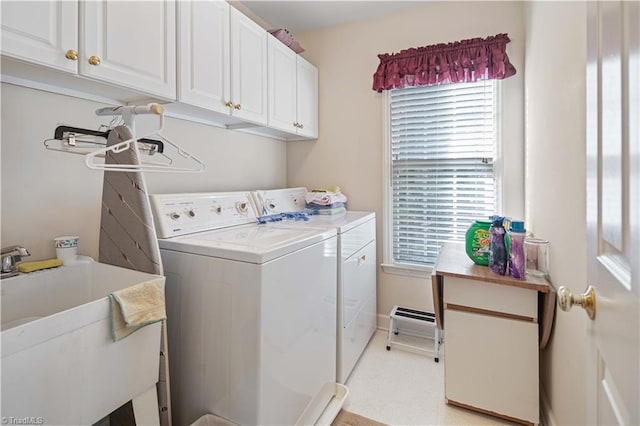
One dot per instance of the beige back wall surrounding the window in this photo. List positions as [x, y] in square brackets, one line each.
[348, 152]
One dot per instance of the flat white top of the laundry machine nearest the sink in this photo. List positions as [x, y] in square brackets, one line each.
[248, 243]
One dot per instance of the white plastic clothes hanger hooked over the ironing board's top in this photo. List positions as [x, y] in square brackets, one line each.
[128, 114]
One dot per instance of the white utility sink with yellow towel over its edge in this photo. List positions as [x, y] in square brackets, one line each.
[59, 363]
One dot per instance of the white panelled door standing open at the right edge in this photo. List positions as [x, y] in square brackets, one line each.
[613, 211]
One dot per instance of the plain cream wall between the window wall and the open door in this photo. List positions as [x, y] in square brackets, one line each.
[555, 186]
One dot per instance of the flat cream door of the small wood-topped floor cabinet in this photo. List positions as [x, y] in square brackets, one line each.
[491, 363]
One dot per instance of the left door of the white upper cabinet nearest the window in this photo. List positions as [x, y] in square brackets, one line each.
[282, 86]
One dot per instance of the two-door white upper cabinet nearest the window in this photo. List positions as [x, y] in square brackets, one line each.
[293, 91]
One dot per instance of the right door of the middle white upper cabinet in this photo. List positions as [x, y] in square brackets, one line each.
[248, 69]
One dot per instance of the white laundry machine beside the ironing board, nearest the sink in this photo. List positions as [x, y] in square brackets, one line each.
[251, 312]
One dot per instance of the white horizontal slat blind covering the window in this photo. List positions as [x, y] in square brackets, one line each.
[443, 143]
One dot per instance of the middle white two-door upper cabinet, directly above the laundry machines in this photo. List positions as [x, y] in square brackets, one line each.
[223, 64]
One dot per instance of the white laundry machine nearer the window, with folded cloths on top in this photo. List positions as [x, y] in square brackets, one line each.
[356, 268]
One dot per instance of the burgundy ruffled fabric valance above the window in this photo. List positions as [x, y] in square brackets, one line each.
[460, 61]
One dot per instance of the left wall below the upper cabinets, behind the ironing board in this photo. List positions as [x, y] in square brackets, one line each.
[47, 193]
